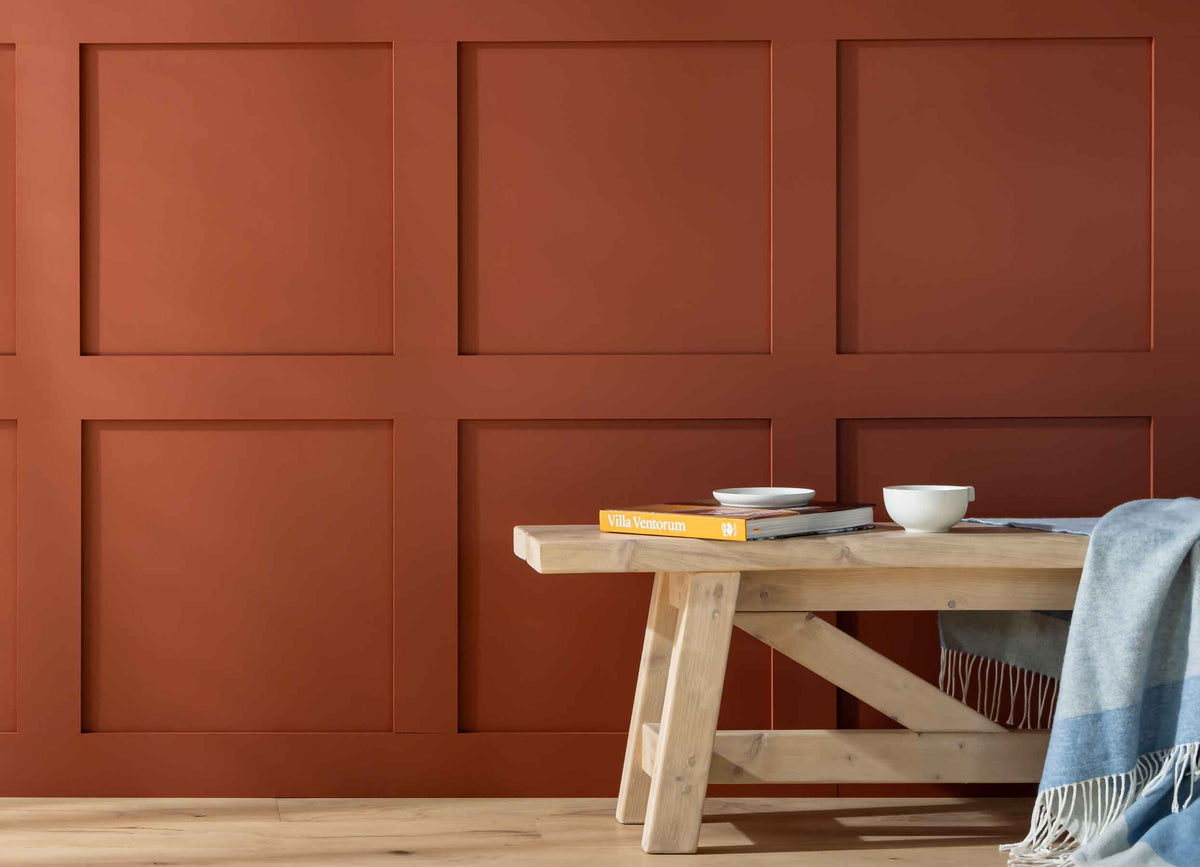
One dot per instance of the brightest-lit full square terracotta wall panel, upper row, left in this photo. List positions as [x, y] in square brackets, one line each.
[237, 200]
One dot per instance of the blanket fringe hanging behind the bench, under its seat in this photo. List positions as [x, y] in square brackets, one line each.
[1031, 696]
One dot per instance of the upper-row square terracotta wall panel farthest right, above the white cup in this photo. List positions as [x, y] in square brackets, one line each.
[995, 195]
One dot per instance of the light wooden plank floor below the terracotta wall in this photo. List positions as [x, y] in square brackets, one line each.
[572, 833]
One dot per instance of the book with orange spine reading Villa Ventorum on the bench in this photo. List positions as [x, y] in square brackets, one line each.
[706, 519]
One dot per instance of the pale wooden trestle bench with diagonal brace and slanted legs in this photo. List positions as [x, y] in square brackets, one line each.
[771, 589]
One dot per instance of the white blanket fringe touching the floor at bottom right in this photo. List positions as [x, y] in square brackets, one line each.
[1093, 805]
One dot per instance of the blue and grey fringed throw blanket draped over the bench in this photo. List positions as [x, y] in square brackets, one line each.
[1121, 774]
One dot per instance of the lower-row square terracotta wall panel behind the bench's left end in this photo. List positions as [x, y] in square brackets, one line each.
[561, 653]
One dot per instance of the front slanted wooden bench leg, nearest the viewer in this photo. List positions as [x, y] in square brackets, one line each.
[689, 714]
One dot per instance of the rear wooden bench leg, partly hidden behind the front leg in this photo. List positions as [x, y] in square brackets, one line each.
[652, 686]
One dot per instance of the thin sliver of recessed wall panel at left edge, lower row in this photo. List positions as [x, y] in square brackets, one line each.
[8, 576]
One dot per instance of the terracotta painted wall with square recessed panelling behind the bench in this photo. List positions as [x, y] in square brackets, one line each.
[305, 303]
